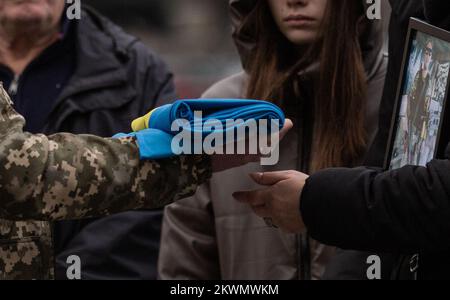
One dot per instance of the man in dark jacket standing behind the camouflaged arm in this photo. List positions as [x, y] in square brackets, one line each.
[96, 79]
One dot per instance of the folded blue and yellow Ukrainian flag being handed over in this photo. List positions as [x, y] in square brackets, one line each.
[154, 130]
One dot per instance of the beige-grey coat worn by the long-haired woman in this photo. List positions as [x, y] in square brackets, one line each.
[211, 236]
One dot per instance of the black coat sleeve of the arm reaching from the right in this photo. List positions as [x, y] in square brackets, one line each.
[407, 210]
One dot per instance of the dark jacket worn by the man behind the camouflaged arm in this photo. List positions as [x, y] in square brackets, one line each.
[116, 79]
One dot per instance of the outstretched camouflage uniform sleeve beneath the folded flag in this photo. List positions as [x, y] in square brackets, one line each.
[66, 176]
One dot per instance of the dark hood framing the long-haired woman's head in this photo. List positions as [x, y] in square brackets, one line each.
[371, 39]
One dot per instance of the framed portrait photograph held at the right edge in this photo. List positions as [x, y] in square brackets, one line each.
[421, 103]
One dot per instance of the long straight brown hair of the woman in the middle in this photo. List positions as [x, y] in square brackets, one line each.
[341, 85]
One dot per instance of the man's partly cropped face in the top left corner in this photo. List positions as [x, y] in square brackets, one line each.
[30, 12]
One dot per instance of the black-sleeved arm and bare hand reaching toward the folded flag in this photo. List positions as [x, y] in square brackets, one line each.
[403, 211]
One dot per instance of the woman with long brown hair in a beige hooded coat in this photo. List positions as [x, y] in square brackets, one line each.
[321, 61]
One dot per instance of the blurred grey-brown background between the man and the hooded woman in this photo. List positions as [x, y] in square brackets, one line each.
[192, 36]
